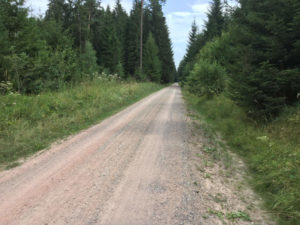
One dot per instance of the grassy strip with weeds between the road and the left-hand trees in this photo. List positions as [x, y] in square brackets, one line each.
[31, 123]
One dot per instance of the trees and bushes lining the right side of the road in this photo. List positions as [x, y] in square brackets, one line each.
[250, 52]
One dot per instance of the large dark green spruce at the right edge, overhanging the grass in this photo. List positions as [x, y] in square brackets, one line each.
[263, 73]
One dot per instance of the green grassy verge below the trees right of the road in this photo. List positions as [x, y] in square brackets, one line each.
[271, 151]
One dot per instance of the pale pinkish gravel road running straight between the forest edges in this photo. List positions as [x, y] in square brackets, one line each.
[131, 169]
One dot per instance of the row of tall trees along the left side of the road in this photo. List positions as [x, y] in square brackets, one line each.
[78, 39]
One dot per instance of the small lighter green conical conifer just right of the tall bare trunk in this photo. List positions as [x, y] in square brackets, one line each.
[152, 65]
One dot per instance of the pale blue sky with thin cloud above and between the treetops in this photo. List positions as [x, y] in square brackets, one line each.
[179, 14]
